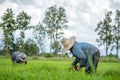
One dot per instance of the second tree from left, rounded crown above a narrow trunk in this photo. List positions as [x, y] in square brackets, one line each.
[22, 24]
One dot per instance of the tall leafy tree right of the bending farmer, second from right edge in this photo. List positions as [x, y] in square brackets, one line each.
[104, 29]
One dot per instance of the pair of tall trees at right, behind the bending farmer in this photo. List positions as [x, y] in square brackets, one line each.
[108, 31]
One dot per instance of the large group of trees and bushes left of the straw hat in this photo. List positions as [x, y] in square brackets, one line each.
[51, 27]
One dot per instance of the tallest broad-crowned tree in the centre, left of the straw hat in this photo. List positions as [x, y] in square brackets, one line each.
[55, 20]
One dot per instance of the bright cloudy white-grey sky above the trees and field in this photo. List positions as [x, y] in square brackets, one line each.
[83, 15]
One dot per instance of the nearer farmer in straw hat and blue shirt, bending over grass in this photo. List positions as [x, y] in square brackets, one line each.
[85, 53]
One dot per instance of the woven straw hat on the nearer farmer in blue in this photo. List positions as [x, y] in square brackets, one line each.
[68, 43]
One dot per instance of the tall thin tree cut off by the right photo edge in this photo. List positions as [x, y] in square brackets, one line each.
[116, 31]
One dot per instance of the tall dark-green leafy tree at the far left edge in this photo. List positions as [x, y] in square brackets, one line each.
[8, 27]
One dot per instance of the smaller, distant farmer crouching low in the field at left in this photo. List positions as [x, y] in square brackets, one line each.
[19, 57]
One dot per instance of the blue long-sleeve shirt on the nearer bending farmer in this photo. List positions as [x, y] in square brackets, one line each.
[81, 50]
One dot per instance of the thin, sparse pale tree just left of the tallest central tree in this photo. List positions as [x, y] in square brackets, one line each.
[40, 36]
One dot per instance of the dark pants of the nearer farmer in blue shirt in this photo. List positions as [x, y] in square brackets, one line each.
[95, 60]
